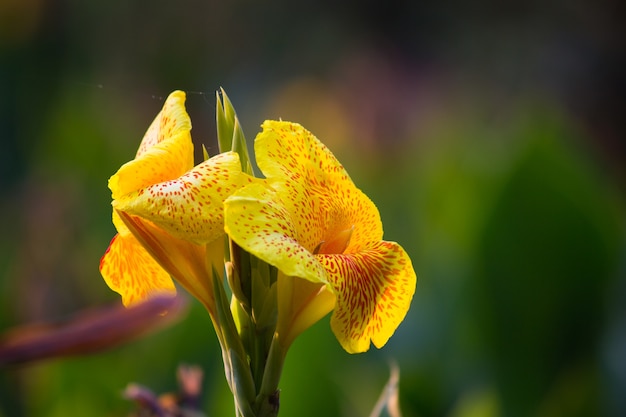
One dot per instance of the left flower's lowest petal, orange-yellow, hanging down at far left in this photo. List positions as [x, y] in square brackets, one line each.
[130, 271]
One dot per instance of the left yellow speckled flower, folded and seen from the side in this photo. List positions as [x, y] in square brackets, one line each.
[168, 213]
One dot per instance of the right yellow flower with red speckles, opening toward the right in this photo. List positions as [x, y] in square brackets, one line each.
[311, 222]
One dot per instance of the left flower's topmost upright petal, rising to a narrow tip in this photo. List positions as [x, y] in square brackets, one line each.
[166, 152]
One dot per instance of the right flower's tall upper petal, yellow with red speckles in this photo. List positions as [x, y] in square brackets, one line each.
[320, 196]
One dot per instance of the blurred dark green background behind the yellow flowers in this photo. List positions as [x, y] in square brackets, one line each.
[490, 135]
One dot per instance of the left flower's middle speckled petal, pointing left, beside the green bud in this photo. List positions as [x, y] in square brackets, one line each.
[191, 206]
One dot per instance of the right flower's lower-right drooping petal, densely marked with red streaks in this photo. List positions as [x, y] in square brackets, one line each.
[374, 289]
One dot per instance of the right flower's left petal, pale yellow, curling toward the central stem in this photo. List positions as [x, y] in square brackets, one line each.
[258, 221]
